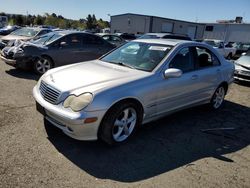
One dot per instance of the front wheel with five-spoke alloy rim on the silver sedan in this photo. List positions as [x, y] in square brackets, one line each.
[120, 123]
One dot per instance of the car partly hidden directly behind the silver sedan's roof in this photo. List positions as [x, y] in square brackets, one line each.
[165, 36]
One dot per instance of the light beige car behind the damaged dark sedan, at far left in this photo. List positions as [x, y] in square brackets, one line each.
[24, 34]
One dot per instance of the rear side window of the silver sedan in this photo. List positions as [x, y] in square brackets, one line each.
[205, 58]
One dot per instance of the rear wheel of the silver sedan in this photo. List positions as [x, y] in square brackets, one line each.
[218, 98]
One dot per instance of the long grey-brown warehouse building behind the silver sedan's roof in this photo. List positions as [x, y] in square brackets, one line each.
[139, 24]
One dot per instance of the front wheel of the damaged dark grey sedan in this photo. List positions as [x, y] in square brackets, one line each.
[42, 65]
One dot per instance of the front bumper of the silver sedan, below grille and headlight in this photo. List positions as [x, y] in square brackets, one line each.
[71, 123]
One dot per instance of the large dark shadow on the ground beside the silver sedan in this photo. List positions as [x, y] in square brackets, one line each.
[178, 140]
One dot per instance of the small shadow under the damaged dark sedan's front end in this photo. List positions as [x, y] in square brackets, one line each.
[24, 74]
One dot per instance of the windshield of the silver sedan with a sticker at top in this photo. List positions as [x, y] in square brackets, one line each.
[138, 55]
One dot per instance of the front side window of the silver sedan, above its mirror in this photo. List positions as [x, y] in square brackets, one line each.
[183, 61]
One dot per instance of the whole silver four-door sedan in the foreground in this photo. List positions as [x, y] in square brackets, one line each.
[139, 82]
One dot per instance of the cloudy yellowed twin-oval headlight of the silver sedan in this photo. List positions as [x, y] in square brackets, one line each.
[77, 103]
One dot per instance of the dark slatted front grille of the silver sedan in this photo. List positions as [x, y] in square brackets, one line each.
[49, 93]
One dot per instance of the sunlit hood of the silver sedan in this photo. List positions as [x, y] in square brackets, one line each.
[91, 76]
